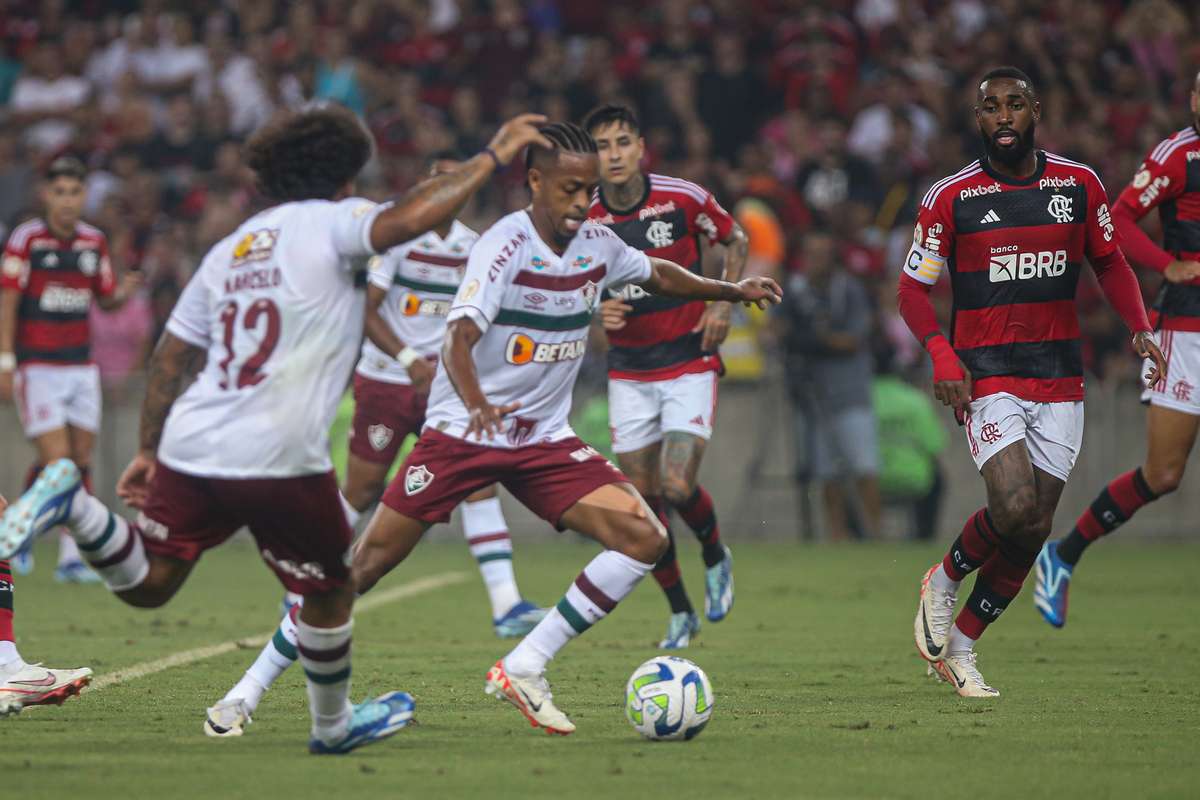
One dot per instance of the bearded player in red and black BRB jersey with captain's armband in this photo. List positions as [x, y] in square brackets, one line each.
[1013, 231]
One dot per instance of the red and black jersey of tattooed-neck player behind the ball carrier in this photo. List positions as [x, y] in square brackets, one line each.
[669, 222]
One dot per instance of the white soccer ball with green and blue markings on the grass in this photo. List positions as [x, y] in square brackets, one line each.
[669, 699]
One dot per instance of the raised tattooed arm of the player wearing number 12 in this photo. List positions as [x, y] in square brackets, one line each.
[434, 202]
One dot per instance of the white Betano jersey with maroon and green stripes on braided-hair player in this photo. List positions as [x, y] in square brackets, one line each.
[535, 309]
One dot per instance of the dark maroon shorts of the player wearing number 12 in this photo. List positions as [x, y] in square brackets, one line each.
[298, 522]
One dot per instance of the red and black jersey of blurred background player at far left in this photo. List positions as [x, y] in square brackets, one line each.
[57, 280]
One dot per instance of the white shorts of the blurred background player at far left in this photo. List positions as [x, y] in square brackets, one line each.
[51, 398]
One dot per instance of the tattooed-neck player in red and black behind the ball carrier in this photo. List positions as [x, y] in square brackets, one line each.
[663, 362]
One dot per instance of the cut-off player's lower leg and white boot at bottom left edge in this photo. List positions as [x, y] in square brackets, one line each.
[23, 684]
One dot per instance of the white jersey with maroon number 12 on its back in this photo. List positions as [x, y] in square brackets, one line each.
[277, 309]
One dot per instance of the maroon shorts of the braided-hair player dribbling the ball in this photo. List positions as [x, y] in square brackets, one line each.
[548, 478]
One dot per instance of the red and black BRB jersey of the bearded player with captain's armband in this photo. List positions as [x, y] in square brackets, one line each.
[1015, 250]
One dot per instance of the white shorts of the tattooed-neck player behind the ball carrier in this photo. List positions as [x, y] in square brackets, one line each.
[640, 412]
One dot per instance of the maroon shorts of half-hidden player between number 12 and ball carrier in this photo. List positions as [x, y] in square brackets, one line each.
[385, 416]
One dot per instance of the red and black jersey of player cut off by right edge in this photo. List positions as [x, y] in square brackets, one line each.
[1169, 181]
